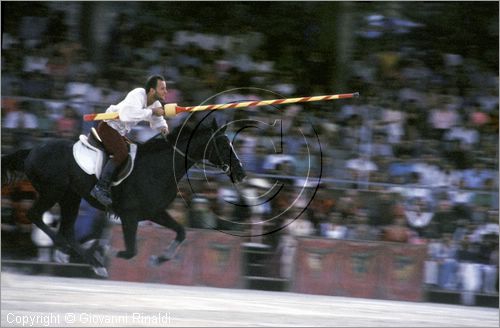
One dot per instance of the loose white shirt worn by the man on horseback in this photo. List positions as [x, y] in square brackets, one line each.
[134, 109]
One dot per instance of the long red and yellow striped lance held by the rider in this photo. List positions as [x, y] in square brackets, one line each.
[172, 109]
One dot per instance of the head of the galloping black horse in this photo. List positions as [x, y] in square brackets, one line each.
[219, 151]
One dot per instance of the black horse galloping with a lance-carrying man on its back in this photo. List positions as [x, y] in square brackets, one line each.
[151, 187]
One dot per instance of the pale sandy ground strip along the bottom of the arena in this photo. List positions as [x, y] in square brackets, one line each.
[55, 302]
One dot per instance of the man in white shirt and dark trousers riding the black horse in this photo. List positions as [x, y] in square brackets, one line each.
[140, 104]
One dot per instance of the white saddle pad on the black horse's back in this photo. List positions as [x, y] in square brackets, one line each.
[90, 155]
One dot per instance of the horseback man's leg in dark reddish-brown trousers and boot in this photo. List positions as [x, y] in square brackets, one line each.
[115, 145]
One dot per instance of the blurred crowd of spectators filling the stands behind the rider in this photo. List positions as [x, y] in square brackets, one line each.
[413, 160]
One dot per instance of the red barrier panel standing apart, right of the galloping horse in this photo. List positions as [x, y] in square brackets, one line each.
[359, 269]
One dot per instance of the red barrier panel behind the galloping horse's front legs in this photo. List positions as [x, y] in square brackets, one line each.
[206, 257]
